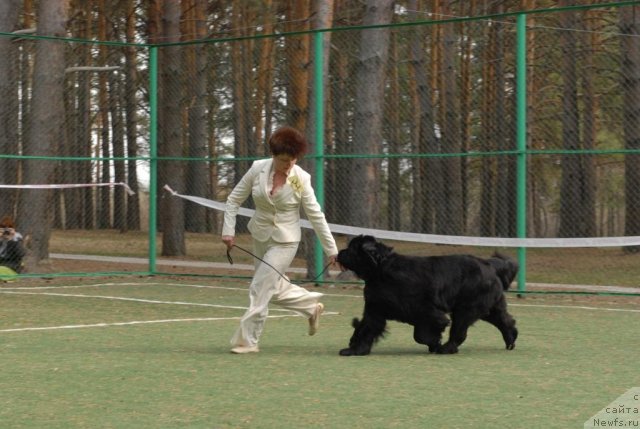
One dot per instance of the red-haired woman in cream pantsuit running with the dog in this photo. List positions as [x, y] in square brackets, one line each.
[279, 187]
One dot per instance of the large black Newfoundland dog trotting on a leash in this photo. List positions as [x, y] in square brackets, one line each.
[422, 291]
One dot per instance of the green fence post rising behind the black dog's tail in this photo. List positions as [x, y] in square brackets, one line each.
[521, 142]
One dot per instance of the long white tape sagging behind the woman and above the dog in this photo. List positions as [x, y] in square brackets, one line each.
[441, 239]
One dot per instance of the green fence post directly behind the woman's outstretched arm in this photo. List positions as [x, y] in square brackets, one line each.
[318, 62]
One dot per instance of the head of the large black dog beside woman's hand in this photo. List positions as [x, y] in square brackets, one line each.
[363, 255]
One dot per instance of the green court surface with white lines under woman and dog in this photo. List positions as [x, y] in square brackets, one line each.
[154, 353]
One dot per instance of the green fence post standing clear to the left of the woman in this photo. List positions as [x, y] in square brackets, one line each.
[153, 155]
